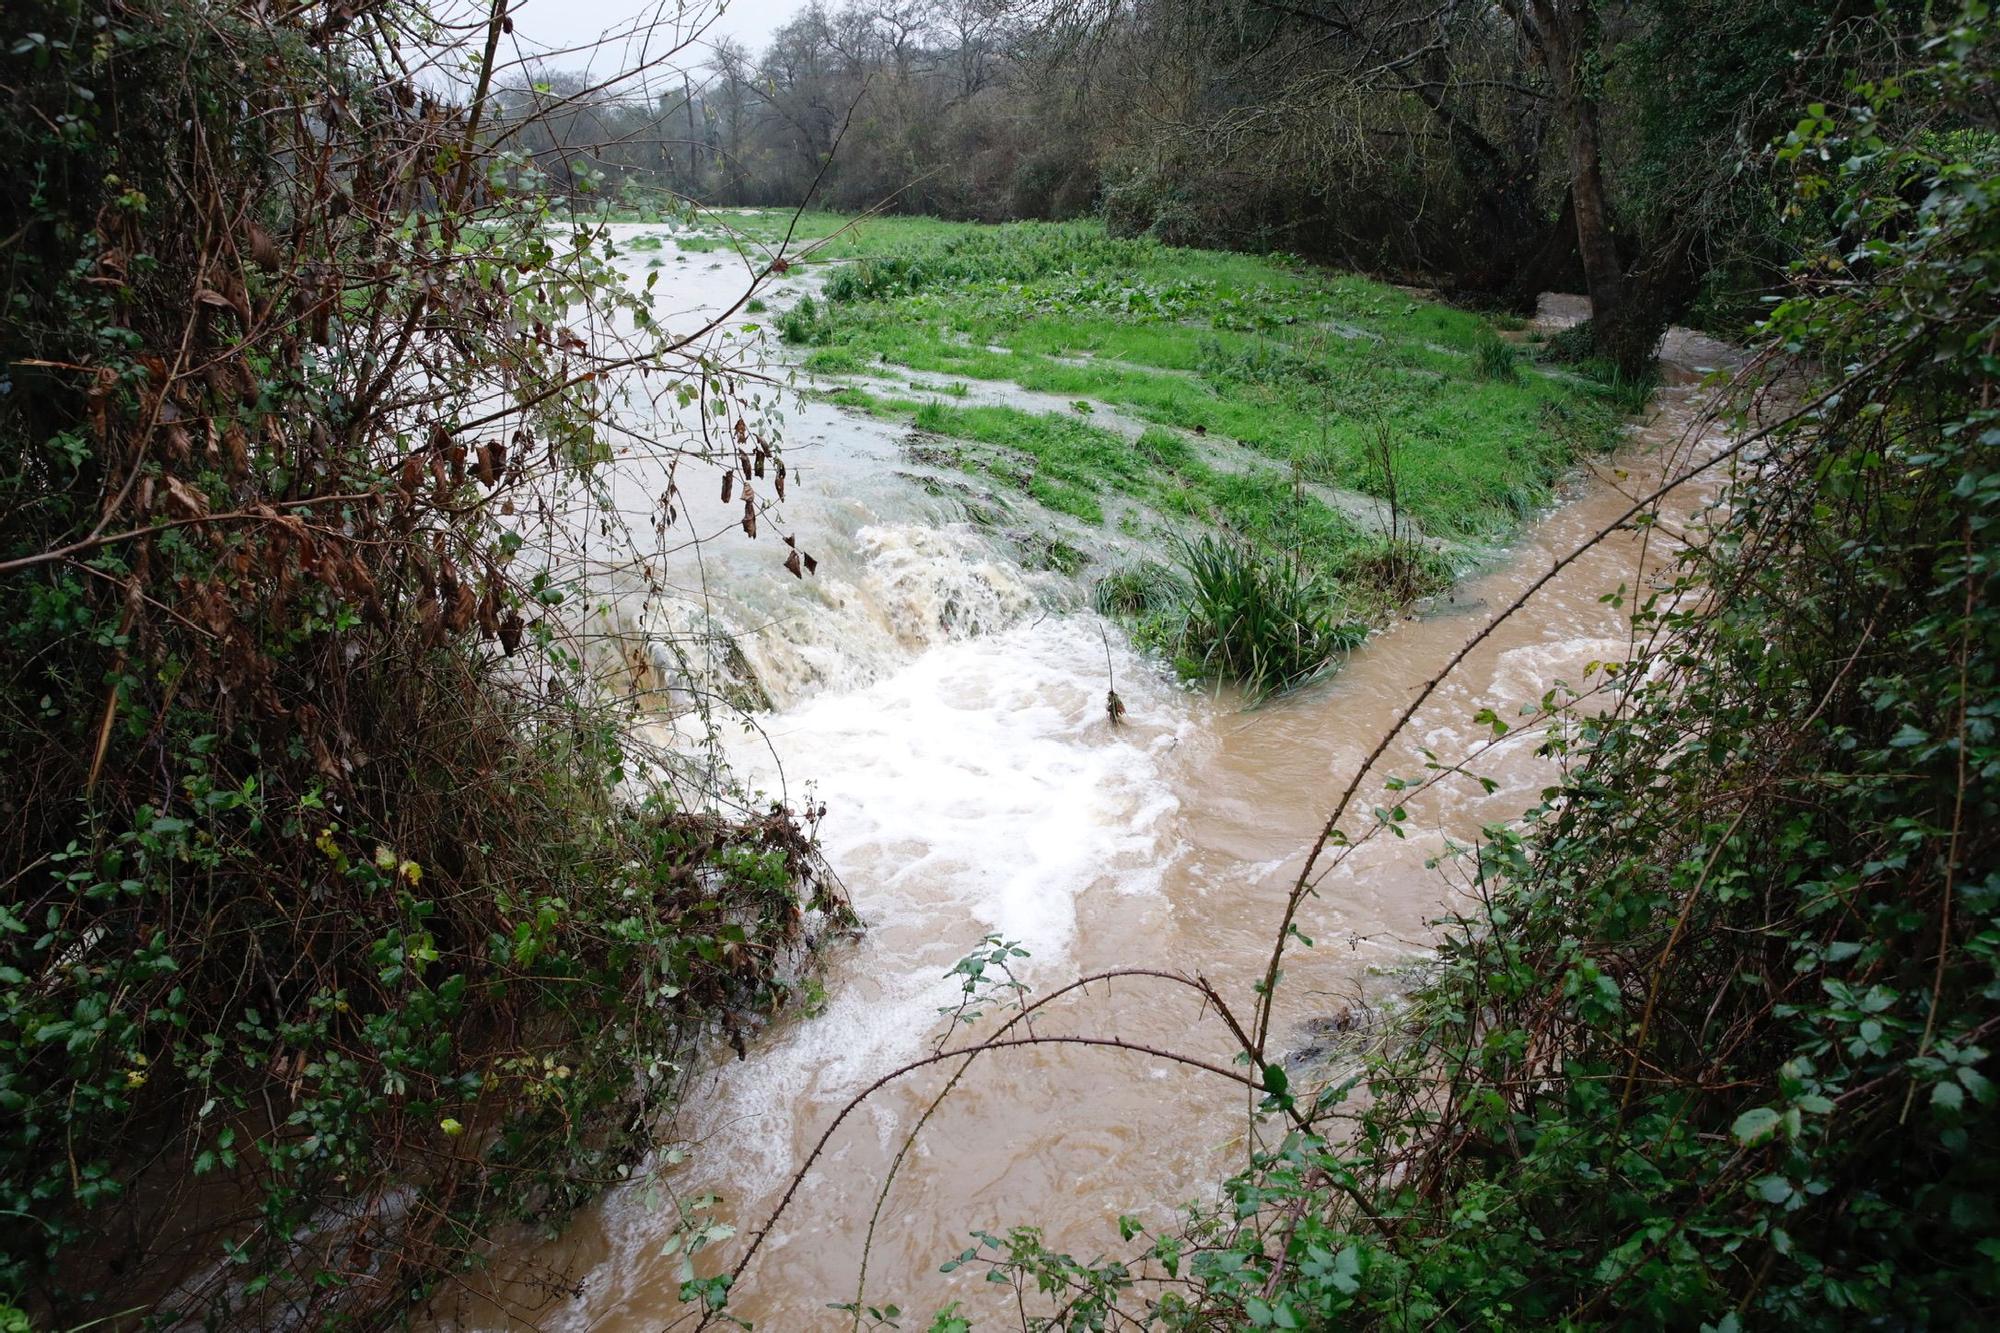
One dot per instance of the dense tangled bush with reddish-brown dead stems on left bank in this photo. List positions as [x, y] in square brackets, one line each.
[337, 918]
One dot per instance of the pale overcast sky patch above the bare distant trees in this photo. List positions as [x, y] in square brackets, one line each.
[553, 25]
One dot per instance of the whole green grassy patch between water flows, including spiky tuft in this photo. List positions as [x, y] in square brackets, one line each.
[1263, 393]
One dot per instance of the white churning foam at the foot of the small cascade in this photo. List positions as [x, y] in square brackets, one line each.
[977, 792]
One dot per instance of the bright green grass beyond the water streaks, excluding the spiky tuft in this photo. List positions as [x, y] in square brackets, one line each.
[1291, 363]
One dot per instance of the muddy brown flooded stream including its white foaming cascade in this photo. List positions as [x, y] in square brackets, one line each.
[949, 710]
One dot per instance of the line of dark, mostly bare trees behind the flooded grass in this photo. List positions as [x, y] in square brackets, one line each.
[1495, 151]
